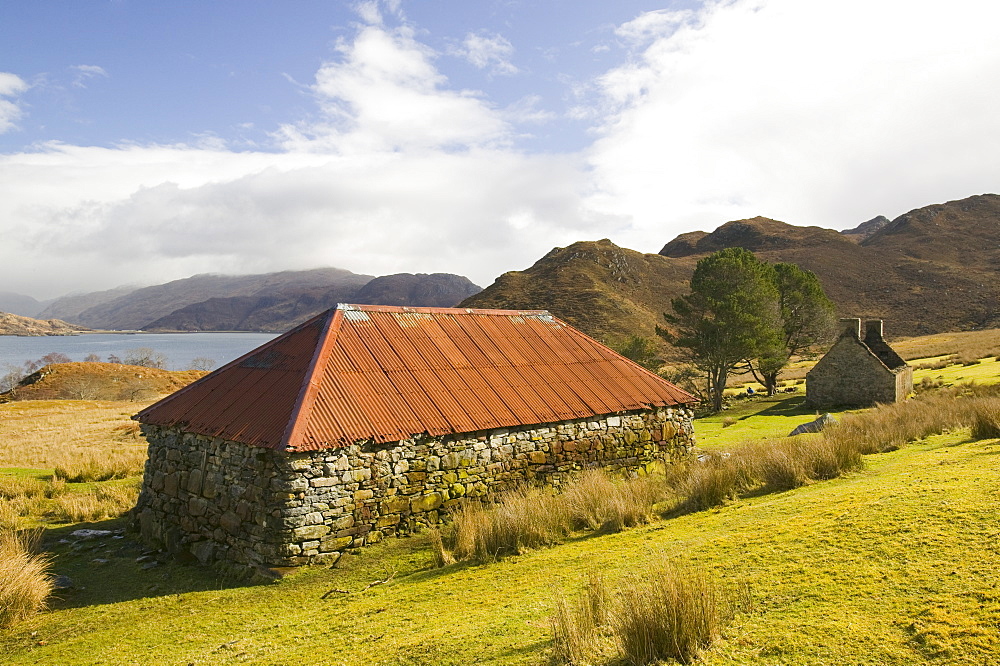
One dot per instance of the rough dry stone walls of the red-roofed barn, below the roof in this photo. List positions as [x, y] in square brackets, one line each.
[214, 499]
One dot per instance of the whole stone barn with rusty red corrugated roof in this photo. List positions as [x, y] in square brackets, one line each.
[369, 421]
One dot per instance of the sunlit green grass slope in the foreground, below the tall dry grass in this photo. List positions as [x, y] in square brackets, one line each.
[897, 564]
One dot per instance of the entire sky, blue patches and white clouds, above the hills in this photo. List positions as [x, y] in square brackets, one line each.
[147, 141]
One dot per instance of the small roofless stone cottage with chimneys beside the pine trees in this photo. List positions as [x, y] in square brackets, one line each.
[859, 371]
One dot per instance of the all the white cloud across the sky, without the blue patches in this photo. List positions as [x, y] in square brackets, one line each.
[814, 113]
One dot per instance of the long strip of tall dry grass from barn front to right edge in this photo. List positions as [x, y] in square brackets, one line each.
[531, 517]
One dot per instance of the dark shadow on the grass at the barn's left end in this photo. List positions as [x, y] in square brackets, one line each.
[116, 568]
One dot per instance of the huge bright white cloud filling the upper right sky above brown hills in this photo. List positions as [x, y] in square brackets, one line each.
[822, 113]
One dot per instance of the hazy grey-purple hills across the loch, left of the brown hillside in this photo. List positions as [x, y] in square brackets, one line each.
[265, 302]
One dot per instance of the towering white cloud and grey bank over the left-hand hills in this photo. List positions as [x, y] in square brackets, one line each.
[400, 173]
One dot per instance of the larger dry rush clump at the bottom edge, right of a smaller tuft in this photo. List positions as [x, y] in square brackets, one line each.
[671, 612]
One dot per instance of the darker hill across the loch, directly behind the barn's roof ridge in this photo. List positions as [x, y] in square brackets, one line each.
[269, 310]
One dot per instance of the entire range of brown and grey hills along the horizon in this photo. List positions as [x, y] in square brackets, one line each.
[932, 269]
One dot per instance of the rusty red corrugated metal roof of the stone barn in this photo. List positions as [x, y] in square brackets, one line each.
[381, 373]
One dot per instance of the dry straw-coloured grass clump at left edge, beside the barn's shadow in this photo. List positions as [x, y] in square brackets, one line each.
[24, 577]
